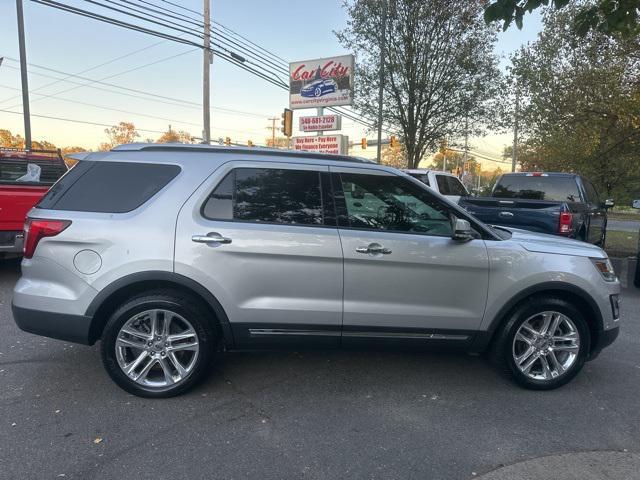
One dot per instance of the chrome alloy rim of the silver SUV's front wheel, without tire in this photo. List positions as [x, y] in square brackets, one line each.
[546, 345]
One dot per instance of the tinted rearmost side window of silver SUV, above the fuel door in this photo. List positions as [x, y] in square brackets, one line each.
[108, 187]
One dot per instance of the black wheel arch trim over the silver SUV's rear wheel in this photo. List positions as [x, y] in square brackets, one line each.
[105, 303]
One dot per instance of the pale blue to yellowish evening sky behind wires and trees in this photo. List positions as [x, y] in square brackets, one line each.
[60, 43]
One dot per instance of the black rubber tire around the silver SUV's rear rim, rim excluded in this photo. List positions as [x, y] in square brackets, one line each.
[184, 305]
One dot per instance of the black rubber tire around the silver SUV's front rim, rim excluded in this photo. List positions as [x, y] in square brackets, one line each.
[502, 348]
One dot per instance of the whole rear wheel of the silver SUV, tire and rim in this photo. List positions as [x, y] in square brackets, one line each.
[158, 344]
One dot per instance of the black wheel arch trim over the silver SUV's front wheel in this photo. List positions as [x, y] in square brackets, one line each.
[587, 306]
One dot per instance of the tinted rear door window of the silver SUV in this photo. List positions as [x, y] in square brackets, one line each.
[267, 195]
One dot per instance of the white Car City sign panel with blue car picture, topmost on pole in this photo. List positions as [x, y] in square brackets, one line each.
[323, 82]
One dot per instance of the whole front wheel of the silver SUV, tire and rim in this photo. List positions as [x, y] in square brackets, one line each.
[544, 344]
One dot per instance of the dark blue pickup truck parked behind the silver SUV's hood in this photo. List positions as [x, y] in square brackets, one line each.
[563, 204]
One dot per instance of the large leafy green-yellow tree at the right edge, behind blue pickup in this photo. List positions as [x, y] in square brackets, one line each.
[581, 104]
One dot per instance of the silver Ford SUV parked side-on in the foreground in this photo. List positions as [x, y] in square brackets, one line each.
[168, 253]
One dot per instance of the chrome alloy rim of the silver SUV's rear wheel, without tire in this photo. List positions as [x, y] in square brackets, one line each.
[157, 348]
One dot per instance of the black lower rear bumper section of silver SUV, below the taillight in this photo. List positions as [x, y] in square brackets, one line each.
[72, 328]
